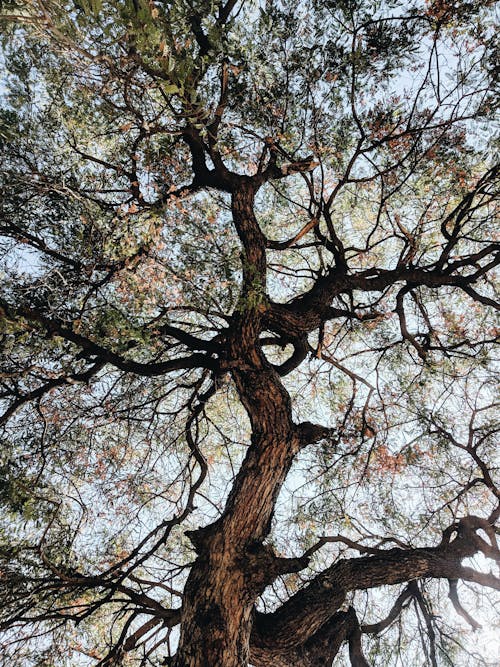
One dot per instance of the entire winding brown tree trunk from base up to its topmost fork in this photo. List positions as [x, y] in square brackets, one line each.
[233, 567]
